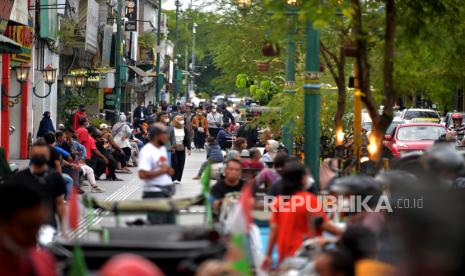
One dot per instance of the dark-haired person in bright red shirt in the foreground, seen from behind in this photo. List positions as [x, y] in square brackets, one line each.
[292, 223]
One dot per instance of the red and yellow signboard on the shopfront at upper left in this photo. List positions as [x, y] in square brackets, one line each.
[23, 35]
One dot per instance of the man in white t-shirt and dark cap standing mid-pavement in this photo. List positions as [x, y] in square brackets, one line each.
[155, 171]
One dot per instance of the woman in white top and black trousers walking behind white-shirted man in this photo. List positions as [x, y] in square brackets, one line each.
[182, 145]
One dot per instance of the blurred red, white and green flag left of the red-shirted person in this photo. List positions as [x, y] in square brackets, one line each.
[239, 224]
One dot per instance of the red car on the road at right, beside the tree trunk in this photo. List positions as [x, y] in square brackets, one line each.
[413, 138]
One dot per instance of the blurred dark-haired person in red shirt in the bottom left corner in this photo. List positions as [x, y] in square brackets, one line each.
[22, 213]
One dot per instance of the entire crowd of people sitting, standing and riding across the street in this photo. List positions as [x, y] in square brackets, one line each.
[158, 140]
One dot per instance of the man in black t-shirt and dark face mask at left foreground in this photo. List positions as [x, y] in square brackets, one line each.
[50, 183]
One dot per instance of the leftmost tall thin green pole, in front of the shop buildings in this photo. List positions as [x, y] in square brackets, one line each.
[118, 58]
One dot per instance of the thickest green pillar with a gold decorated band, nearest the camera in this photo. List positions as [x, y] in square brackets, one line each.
[312, 103]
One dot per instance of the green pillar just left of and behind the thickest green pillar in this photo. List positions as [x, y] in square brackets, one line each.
[289, 86]
